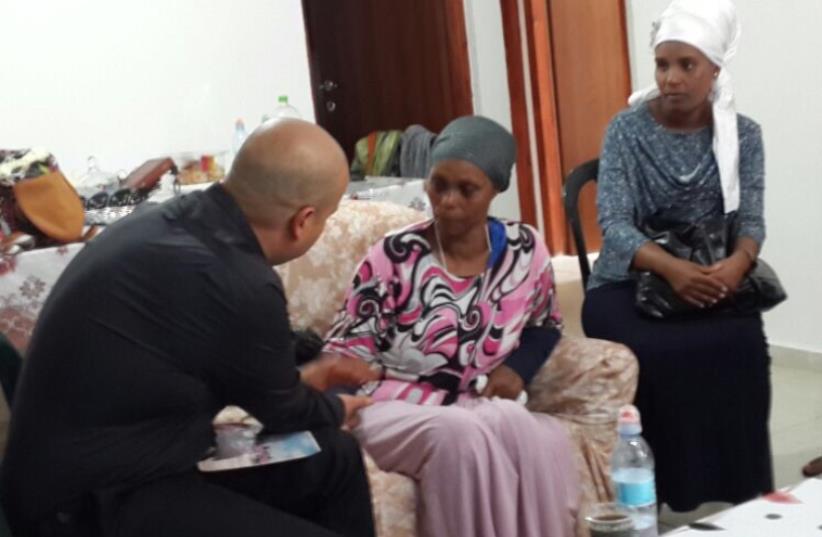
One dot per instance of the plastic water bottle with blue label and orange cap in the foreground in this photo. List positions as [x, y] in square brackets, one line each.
[632, 469]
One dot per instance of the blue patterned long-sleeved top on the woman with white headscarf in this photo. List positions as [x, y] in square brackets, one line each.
[647, 170]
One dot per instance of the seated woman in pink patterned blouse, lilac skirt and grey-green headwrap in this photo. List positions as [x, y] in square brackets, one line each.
[443, 307]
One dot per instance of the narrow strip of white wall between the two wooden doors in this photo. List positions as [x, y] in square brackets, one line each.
[489, 81]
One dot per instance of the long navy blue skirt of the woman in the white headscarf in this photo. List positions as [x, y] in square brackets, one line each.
[704, 394]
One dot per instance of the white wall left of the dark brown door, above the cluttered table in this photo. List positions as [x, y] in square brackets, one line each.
[127, 81]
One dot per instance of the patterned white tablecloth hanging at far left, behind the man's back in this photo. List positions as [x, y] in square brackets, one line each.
[26, 280]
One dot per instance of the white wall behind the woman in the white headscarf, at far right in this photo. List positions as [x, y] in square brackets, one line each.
[779, 84]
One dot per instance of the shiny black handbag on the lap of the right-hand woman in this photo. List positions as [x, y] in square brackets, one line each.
[704, 243]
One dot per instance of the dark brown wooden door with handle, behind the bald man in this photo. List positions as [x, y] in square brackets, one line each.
[386, 64]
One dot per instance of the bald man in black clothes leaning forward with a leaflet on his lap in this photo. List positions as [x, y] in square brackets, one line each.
[161, 321]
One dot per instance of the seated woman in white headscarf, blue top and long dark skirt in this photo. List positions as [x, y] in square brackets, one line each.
[682, 153]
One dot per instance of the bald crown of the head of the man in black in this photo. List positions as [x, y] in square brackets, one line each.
[283, 166]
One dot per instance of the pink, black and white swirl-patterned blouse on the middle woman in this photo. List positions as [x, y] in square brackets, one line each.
[433, 333]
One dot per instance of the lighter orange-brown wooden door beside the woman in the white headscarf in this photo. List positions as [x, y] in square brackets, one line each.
[592, 83]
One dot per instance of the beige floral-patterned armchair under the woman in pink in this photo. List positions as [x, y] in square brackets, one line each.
[583, 383]
